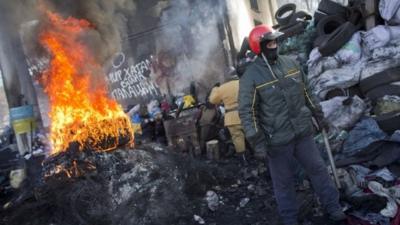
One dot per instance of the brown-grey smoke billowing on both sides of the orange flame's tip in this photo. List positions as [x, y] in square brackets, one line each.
[25, 19]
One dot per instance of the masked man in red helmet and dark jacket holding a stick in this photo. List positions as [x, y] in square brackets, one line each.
[277, 122]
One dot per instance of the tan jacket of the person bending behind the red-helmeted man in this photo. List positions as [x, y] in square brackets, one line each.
[228, 94]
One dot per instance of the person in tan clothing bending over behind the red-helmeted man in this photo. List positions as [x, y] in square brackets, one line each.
[227, 94]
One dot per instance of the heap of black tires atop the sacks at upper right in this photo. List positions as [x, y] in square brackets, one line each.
[336, 24]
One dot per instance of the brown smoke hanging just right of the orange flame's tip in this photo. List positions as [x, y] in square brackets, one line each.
[108, 18]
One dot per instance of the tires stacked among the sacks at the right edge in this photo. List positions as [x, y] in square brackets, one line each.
[377, 86]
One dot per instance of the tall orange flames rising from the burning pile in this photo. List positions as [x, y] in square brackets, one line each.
[80, 109]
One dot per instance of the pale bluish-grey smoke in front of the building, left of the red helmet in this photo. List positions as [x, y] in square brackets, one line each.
[192, 28]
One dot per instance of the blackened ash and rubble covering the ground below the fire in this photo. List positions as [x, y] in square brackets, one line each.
[151, 186]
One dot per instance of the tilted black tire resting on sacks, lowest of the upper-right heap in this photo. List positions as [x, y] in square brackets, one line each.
[334, 41]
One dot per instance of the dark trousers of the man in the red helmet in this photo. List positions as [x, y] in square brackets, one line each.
[282, 161]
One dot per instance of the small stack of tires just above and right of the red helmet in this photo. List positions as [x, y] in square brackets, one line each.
[290, 21]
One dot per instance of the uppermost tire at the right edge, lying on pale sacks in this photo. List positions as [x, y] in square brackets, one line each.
[385, 77]
